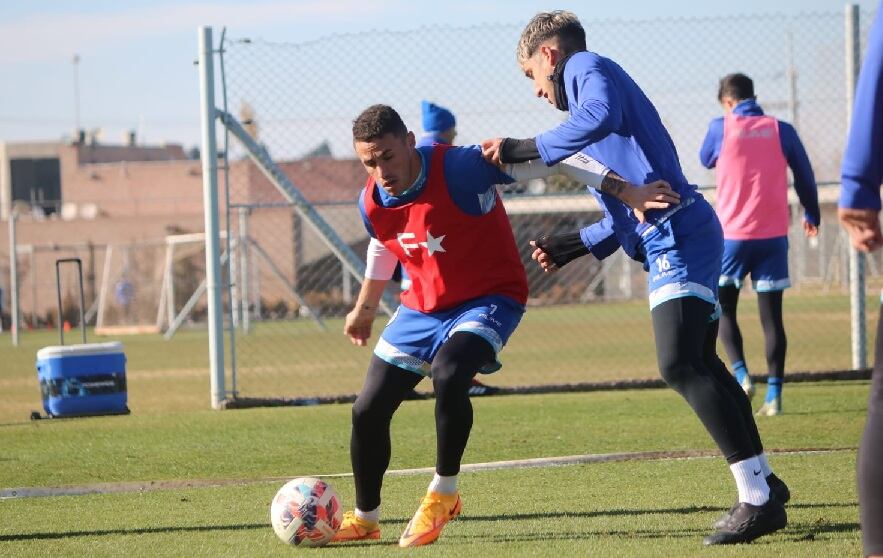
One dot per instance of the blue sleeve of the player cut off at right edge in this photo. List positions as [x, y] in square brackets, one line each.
[862, 167]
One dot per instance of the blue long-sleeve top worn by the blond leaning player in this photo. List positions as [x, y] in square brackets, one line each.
[613, 121]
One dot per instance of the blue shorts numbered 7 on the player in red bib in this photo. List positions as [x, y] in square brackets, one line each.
[411, 339]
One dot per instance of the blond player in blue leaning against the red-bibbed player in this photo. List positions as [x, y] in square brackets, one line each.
[612, 121]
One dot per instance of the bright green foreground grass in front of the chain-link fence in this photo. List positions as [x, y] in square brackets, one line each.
[643, 508]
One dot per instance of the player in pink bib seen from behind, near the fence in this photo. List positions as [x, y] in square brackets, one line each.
[751, 153]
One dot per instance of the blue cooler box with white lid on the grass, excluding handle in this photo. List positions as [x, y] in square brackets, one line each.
[82, 380]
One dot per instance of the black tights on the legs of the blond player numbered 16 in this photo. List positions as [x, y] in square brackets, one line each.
[688, 362]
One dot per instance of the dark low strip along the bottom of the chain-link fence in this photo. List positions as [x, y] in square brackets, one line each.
[579, 387]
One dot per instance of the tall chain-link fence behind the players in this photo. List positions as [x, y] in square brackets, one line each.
[590, 321]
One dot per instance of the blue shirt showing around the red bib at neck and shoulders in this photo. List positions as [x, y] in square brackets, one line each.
[470, 179]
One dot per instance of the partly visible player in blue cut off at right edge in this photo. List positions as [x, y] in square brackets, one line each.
[862, 174]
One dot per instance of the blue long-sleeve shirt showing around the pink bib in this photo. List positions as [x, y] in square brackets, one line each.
[792, 148]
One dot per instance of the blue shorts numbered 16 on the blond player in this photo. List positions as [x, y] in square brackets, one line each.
[683, 254]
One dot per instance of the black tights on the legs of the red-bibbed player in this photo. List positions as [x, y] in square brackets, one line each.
[385, 388]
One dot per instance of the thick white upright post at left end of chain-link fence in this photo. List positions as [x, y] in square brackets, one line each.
[210, 206]
